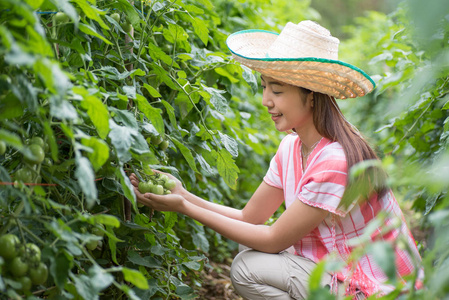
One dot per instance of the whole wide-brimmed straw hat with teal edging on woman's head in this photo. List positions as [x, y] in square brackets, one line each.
[304, 55]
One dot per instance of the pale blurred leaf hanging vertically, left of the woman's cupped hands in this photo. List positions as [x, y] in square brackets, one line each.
[86, 178]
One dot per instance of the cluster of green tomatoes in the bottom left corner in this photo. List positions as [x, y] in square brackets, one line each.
[21, 263]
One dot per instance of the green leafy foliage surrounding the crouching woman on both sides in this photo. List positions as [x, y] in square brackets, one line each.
[97, 95]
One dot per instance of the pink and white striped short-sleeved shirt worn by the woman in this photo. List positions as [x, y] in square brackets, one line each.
[322, 185]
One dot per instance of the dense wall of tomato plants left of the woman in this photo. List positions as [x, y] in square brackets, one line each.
[83, 105]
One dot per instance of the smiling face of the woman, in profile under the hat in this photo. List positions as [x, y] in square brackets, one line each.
[290, 107]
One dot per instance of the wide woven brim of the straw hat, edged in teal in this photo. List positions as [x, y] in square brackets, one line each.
[333, 77]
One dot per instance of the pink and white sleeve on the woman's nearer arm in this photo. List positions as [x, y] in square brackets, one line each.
[324, 181]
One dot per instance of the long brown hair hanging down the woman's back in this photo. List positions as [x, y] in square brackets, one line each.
[330, 123]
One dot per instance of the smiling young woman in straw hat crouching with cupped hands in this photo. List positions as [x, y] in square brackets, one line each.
[301, 76]
